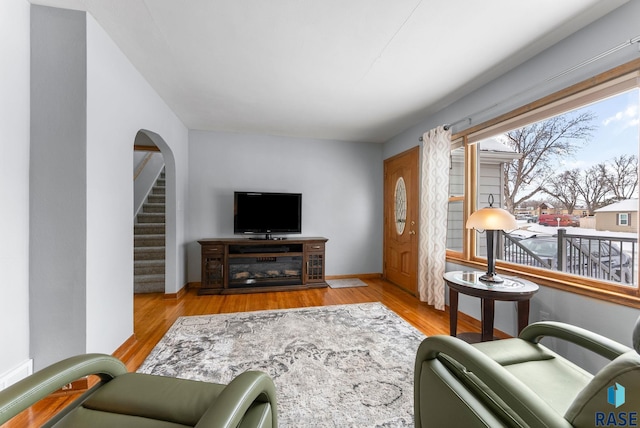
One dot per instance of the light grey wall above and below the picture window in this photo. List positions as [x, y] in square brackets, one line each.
[612, 320]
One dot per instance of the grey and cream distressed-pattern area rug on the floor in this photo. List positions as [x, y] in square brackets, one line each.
[333, 366]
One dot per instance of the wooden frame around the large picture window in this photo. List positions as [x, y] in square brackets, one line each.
[617, 80]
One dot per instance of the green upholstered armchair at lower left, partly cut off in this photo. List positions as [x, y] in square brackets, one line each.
[123, 399]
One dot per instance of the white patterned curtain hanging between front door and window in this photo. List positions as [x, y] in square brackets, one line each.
[434, 203]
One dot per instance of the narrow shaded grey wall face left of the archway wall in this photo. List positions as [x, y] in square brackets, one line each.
[57, 194]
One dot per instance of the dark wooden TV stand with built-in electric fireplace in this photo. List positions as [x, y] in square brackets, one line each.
[231, 265]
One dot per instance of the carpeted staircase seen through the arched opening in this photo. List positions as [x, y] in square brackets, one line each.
[148, 238]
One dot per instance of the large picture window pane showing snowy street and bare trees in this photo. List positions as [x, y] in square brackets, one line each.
[580, 160]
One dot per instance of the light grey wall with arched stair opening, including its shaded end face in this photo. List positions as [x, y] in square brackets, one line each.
[91, 103]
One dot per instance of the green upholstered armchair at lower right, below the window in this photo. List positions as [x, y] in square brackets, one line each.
[518, 382]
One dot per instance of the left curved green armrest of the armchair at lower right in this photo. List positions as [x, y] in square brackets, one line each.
[513, 392]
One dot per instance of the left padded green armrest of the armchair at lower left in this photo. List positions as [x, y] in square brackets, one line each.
[37, 386]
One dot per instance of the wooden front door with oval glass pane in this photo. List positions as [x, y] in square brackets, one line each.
[401, 174]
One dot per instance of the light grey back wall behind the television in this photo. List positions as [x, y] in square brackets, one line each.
[340, 182]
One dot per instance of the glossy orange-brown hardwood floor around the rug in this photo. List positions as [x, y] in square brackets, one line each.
[153, 315]
